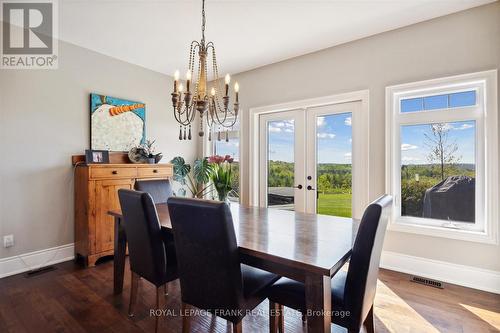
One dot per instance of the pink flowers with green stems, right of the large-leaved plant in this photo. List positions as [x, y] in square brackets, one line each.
[221, 175]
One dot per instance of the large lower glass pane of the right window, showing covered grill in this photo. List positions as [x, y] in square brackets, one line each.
[438, 171]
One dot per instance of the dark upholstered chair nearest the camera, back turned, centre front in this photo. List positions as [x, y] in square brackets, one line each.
[211, 275]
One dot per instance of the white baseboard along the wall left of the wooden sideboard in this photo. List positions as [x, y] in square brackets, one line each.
[37, 259]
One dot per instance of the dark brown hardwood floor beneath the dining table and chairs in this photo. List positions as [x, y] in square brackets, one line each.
[73, 299]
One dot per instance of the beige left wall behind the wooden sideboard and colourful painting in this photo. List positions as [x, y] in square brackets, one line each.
[44, 119]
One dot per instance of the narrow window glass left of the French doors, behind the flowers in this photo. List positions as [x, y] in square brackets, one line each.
[231, 147]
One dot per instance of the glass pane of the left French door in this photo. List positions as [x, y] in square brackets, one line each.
[281, 166]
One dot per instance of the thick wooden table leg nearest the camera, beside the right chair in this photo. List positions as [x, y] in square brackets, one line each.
[318, 303]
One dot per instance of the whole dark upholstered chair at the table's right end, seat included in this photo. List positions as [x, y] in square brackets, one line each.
[354, 290]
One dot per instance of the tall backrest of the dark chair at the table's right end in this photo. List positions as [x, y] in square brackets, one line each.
[361, 282]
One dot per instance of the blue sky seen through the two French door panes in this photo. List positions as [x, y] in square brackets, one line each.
[334, 139]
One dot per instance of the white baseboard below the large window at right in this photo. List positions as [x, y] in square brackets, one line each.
[467, 276]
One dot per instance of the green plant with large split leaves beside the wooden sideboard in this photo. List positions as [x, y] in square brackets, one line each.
[196, 179]
